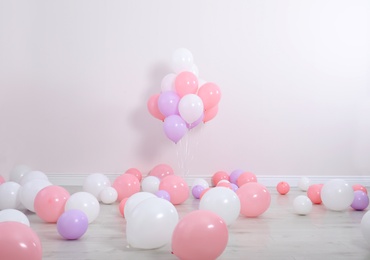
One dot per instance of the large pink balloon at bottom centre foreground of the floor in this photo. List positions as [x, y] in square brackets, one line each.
[200, 235]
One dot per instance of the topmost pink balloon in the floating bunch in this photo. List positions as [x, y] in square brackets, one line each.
[186, 83]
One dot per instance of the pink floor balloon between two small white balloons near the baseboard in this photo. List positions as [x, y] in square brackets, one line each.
[126, 185]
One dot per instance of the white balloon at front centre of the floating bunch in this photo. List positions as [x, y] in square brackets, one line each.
[191, 108]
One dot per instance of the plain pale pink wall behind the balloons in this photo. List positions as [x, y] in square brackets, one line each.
[75, 77]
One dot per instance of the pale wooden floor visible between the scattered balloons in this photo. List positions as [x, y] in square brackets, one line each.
[277, 234]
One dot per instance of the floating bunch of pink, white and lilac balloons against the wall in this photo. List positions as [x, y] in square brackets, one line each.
[184, 102]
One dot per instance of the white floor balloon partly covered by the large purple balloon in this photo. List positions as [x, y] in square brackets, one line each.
[86, 202]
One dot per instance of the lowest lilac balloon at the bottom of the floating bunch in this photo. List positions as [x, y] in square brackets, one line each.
[174, 127]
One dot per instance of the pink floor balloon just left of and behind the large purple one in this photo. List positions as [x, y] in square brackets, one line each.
[50, 203]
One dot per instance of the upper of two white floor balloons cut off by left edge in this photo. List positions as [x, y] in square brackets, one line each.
[9, 195]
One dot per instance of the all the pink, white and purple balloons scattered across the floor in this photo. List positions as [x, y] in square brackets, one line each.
[148, 205]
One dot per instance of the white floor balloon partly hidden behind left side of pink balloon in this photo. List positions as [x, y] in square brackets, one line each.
[29, 190]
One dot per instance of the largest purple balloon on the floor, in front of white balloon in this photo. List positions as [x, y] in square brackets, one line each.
[72, 224]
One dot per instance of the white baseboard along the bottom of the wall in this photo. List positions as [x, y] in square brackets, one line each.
[77, 179]
